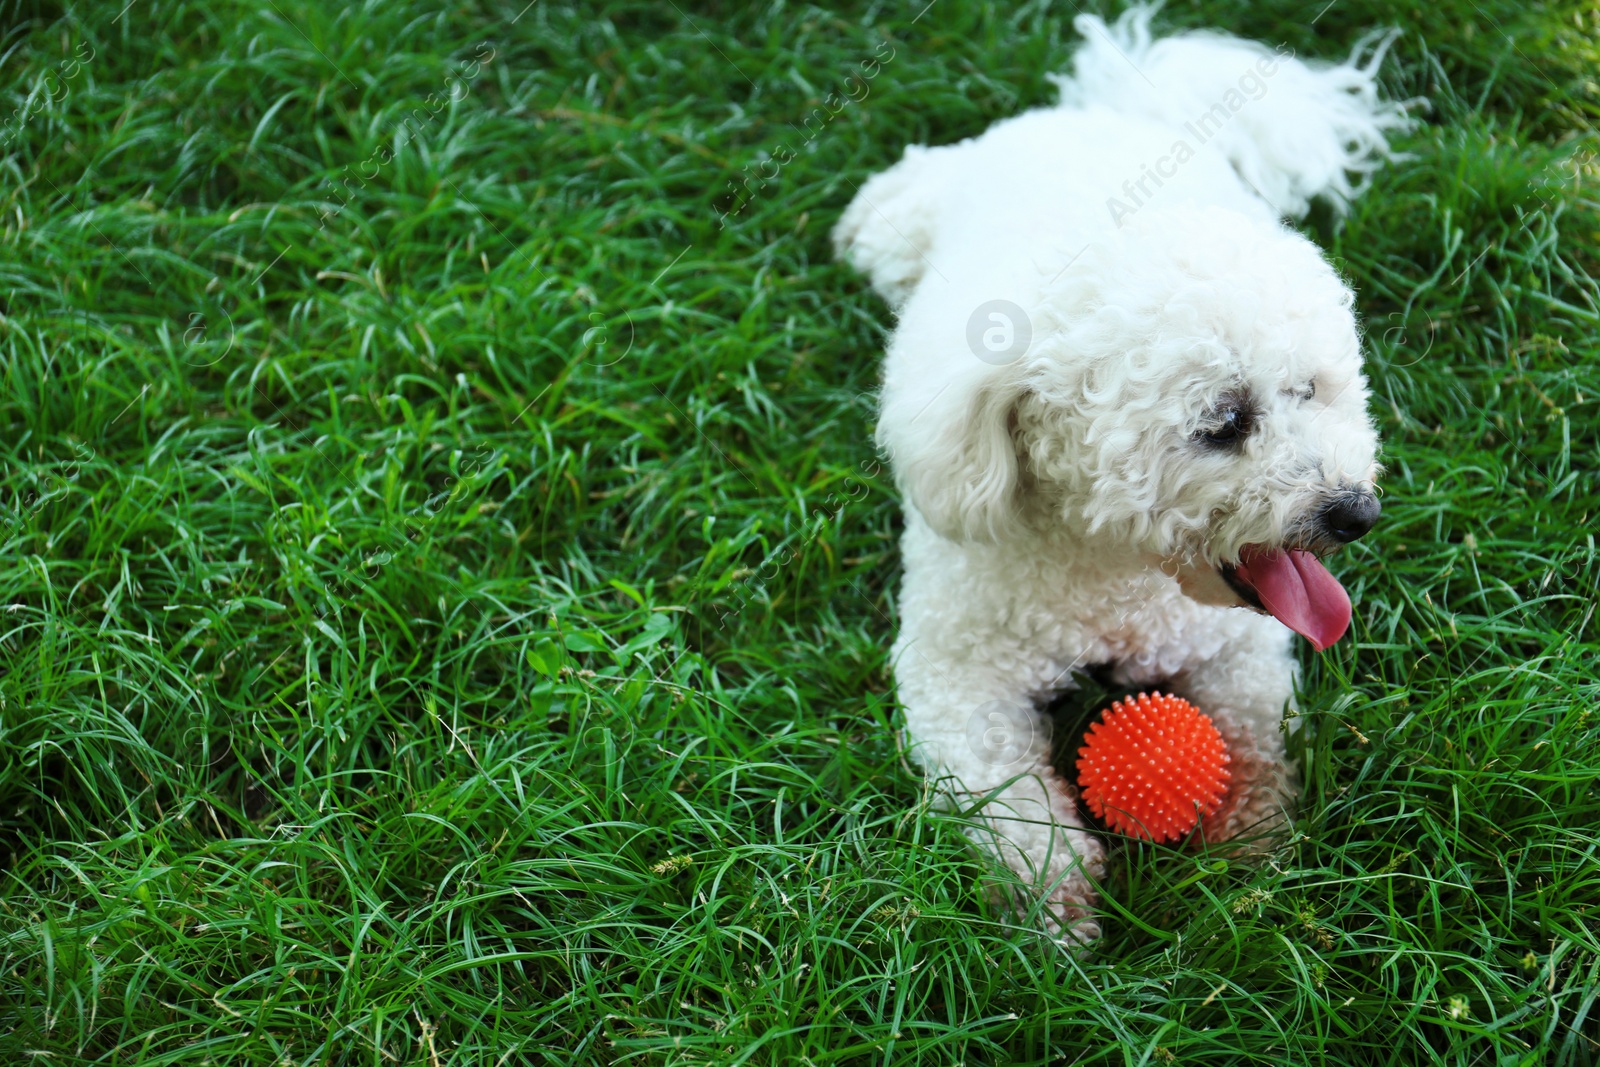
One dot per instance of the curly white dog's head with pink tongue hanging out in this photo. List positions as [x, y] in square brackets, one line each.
[1191, 393]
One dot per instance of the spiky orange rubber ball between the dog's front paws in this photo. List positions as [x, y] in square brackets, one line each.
[1153, 767]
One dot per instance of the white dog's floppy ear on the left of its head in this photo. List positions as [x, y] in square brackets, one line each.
[953, 449]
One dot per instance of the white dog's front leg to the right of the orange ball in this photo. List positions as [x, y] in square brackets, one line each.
[1246, 690]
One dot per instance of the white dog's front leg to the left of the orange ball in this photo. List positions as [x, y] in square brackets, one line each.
[977, 730]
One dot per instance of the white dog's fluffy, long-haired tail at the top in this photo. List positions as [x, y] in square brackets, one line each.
[1294, 130]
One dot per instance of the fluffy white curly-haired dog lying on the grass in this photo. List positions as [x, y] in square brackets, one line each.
[1127, 414]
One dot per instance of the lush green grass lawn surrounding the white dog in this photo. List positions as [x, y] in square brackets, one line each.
[446, 610]
